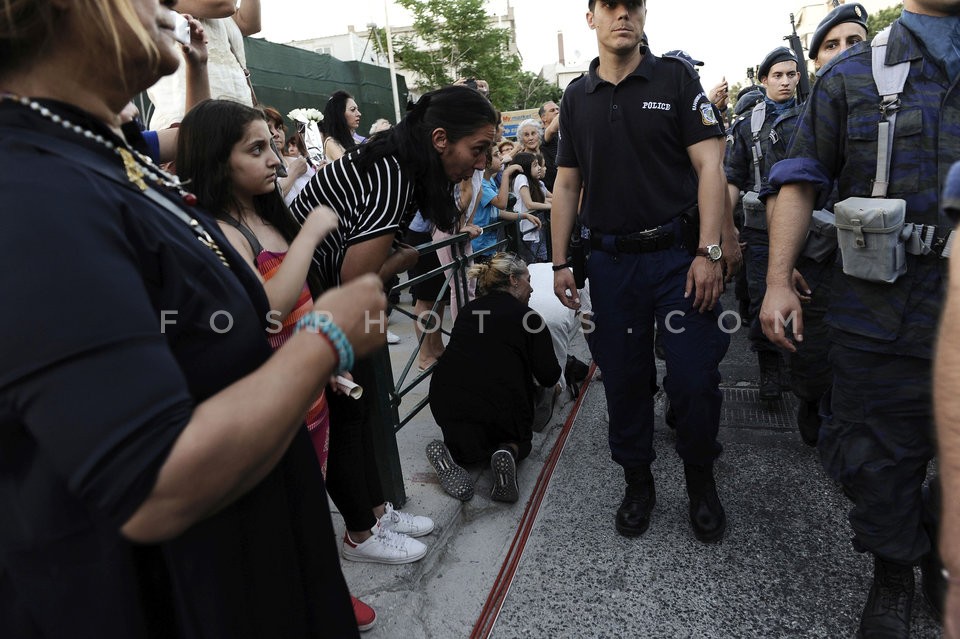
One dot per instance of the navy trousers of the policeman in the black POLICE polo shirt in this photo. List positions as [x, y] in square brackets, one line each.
[629, 292]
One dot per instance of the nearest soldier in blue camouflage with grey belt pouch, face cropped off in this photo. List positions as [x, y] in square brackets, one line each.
[879, 440]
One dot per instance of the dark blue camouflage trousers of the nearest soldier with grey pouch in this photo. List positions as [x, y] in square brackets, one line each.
[878, 444]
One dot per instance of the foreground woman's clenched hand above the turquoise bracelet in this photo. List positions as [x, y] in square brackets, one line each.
[358, 309]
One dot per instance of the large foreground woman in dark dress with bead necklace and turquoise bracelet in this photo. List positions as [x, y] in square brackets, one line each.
[156, 479]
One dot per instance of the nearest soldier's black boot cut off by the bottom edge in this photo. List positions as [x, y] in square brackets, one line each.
[886, 614]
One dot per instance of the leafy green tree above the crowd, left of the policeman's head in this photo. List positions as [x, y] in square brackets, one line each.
[453, 39]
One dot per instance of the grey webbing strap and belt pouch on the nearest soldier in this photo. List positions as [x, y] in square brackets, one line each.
[872, 232]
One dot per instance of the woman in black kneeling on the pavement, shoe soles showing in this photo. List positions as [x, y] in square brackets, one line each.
[482, 390]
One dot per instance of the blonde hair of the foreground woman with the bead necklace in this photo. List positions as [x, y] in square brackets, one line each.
[27, 27]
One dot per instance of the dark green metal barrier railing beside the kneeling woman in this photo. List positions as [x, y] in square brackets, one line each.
[390, 392]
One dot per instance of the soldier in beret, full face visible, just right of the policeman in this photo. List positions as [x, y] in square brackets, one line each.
[747, 171]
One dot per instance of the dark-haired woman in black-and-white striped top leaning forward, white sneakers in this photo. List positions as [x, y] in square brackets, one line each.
[376, 189]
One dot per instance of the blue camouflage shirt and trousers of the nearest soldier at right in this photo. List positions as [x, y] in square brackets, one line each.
[880, 438]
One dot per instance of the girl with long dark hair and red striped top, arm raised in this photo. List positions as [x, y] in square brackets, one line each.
[224, 153]
